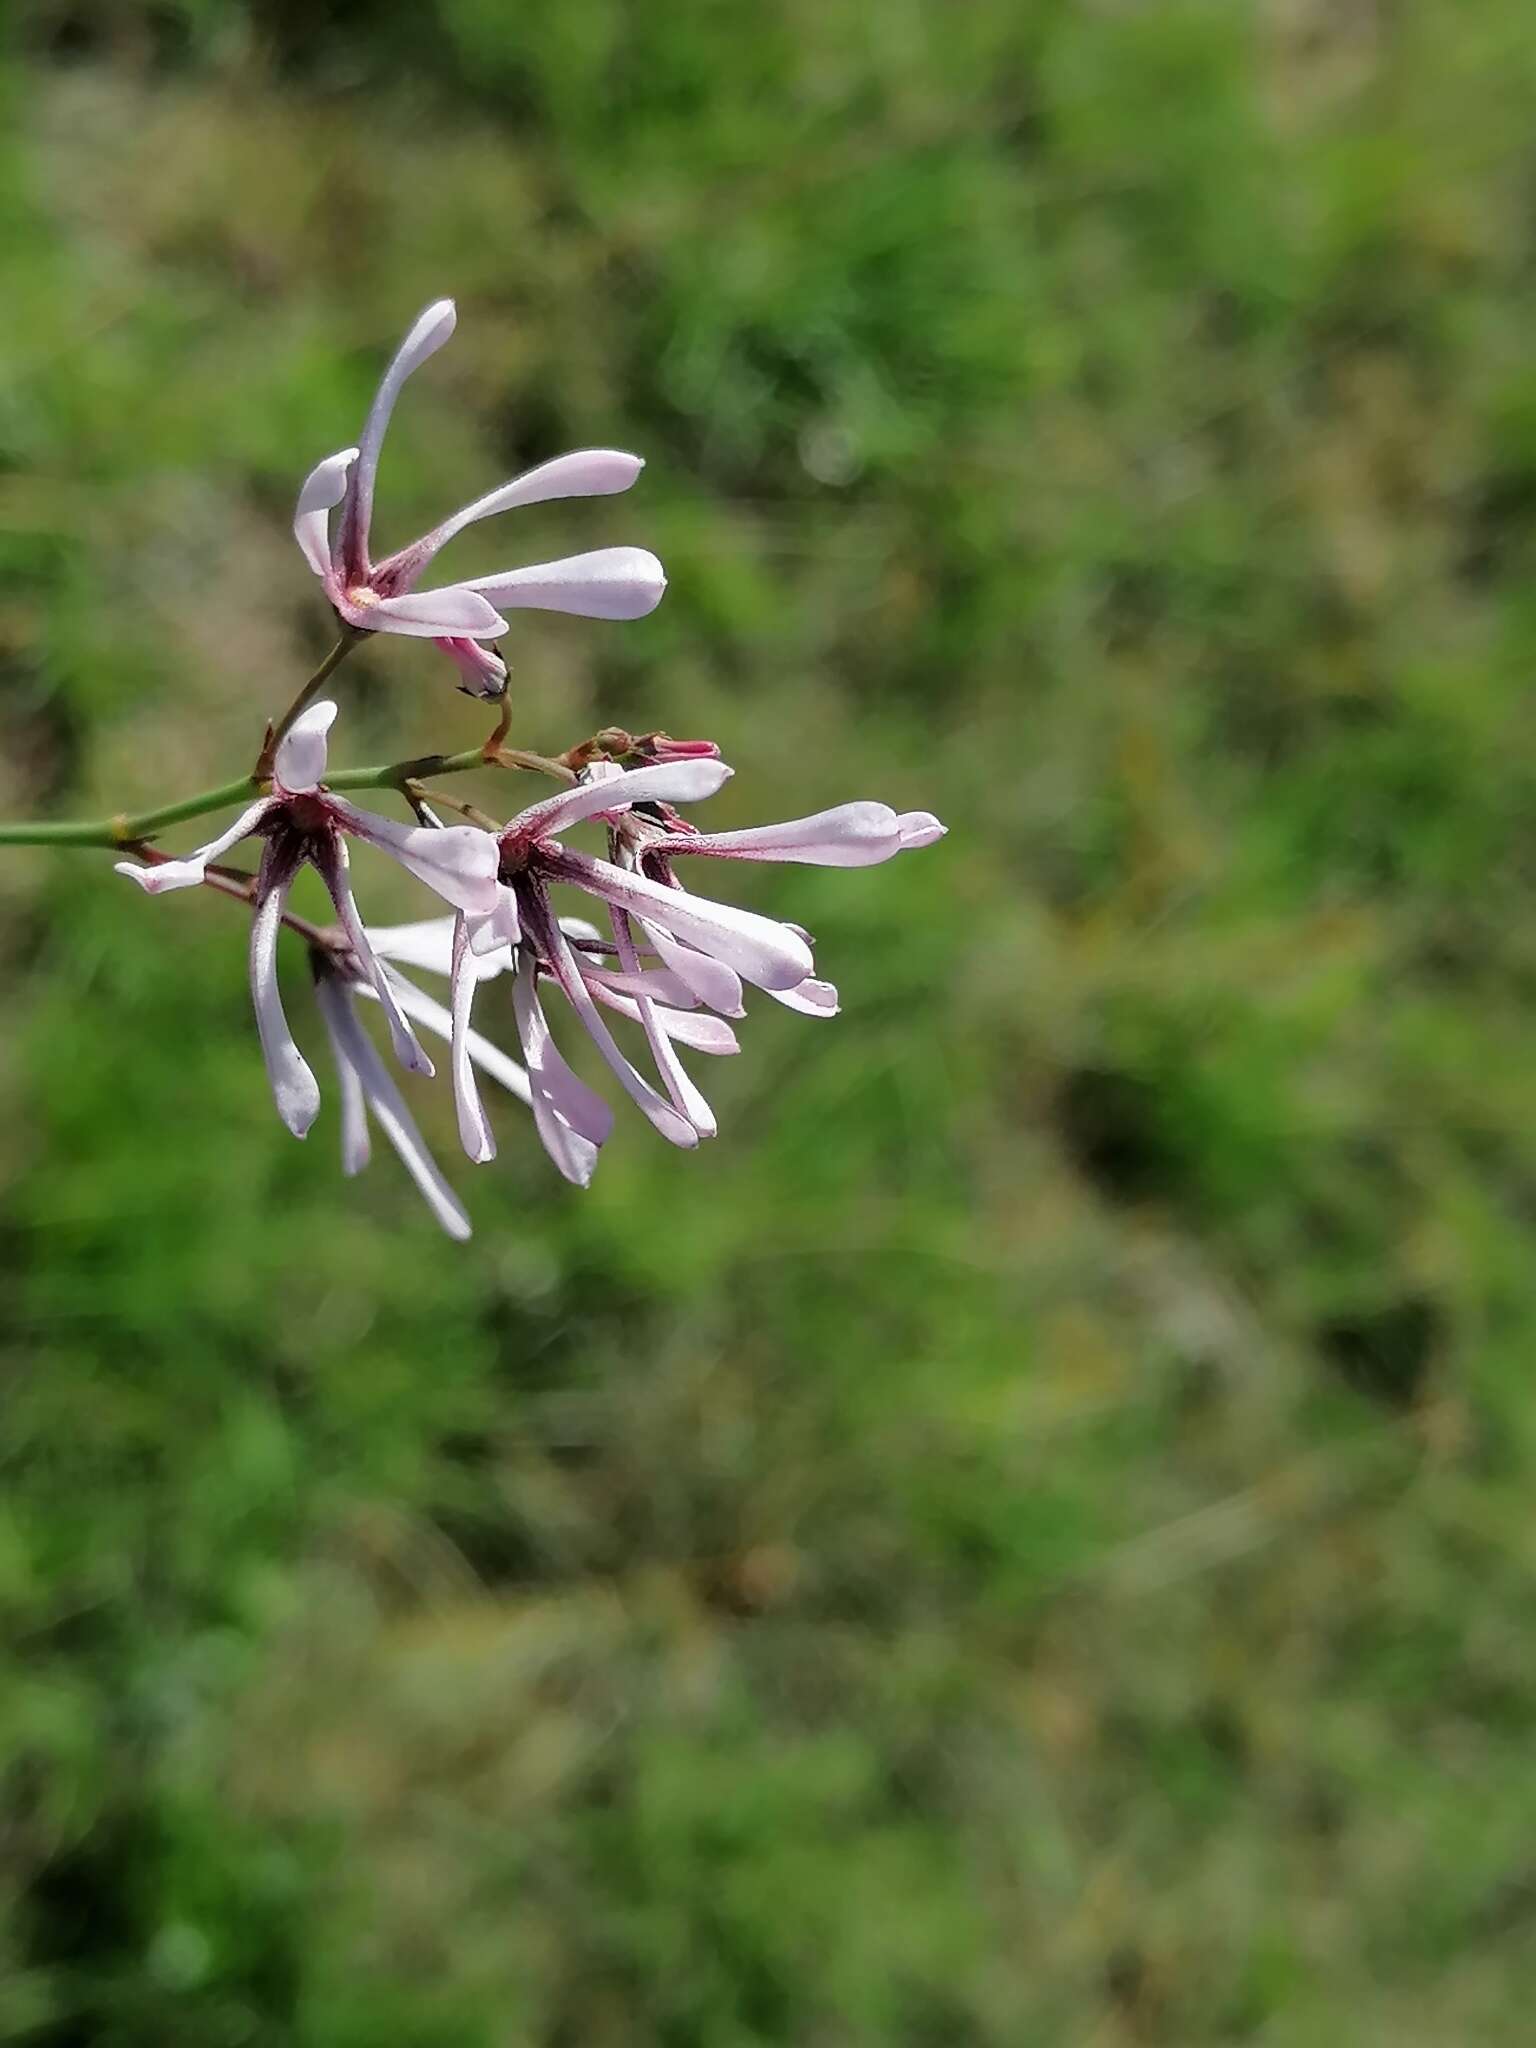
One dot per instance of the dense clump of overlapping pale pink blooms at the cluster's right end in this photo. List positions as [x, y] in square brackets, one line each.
[671, 951]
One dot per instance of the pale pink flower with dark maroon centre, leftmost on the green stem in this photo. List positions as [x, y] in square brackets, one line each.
[304, 822]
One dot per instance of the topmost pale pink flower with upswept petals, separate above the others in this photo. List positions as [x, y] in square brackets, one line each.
[613, 583]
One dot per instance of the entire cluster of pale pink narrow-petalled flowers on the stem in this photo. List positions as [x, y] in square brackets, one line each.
[654, 953]
